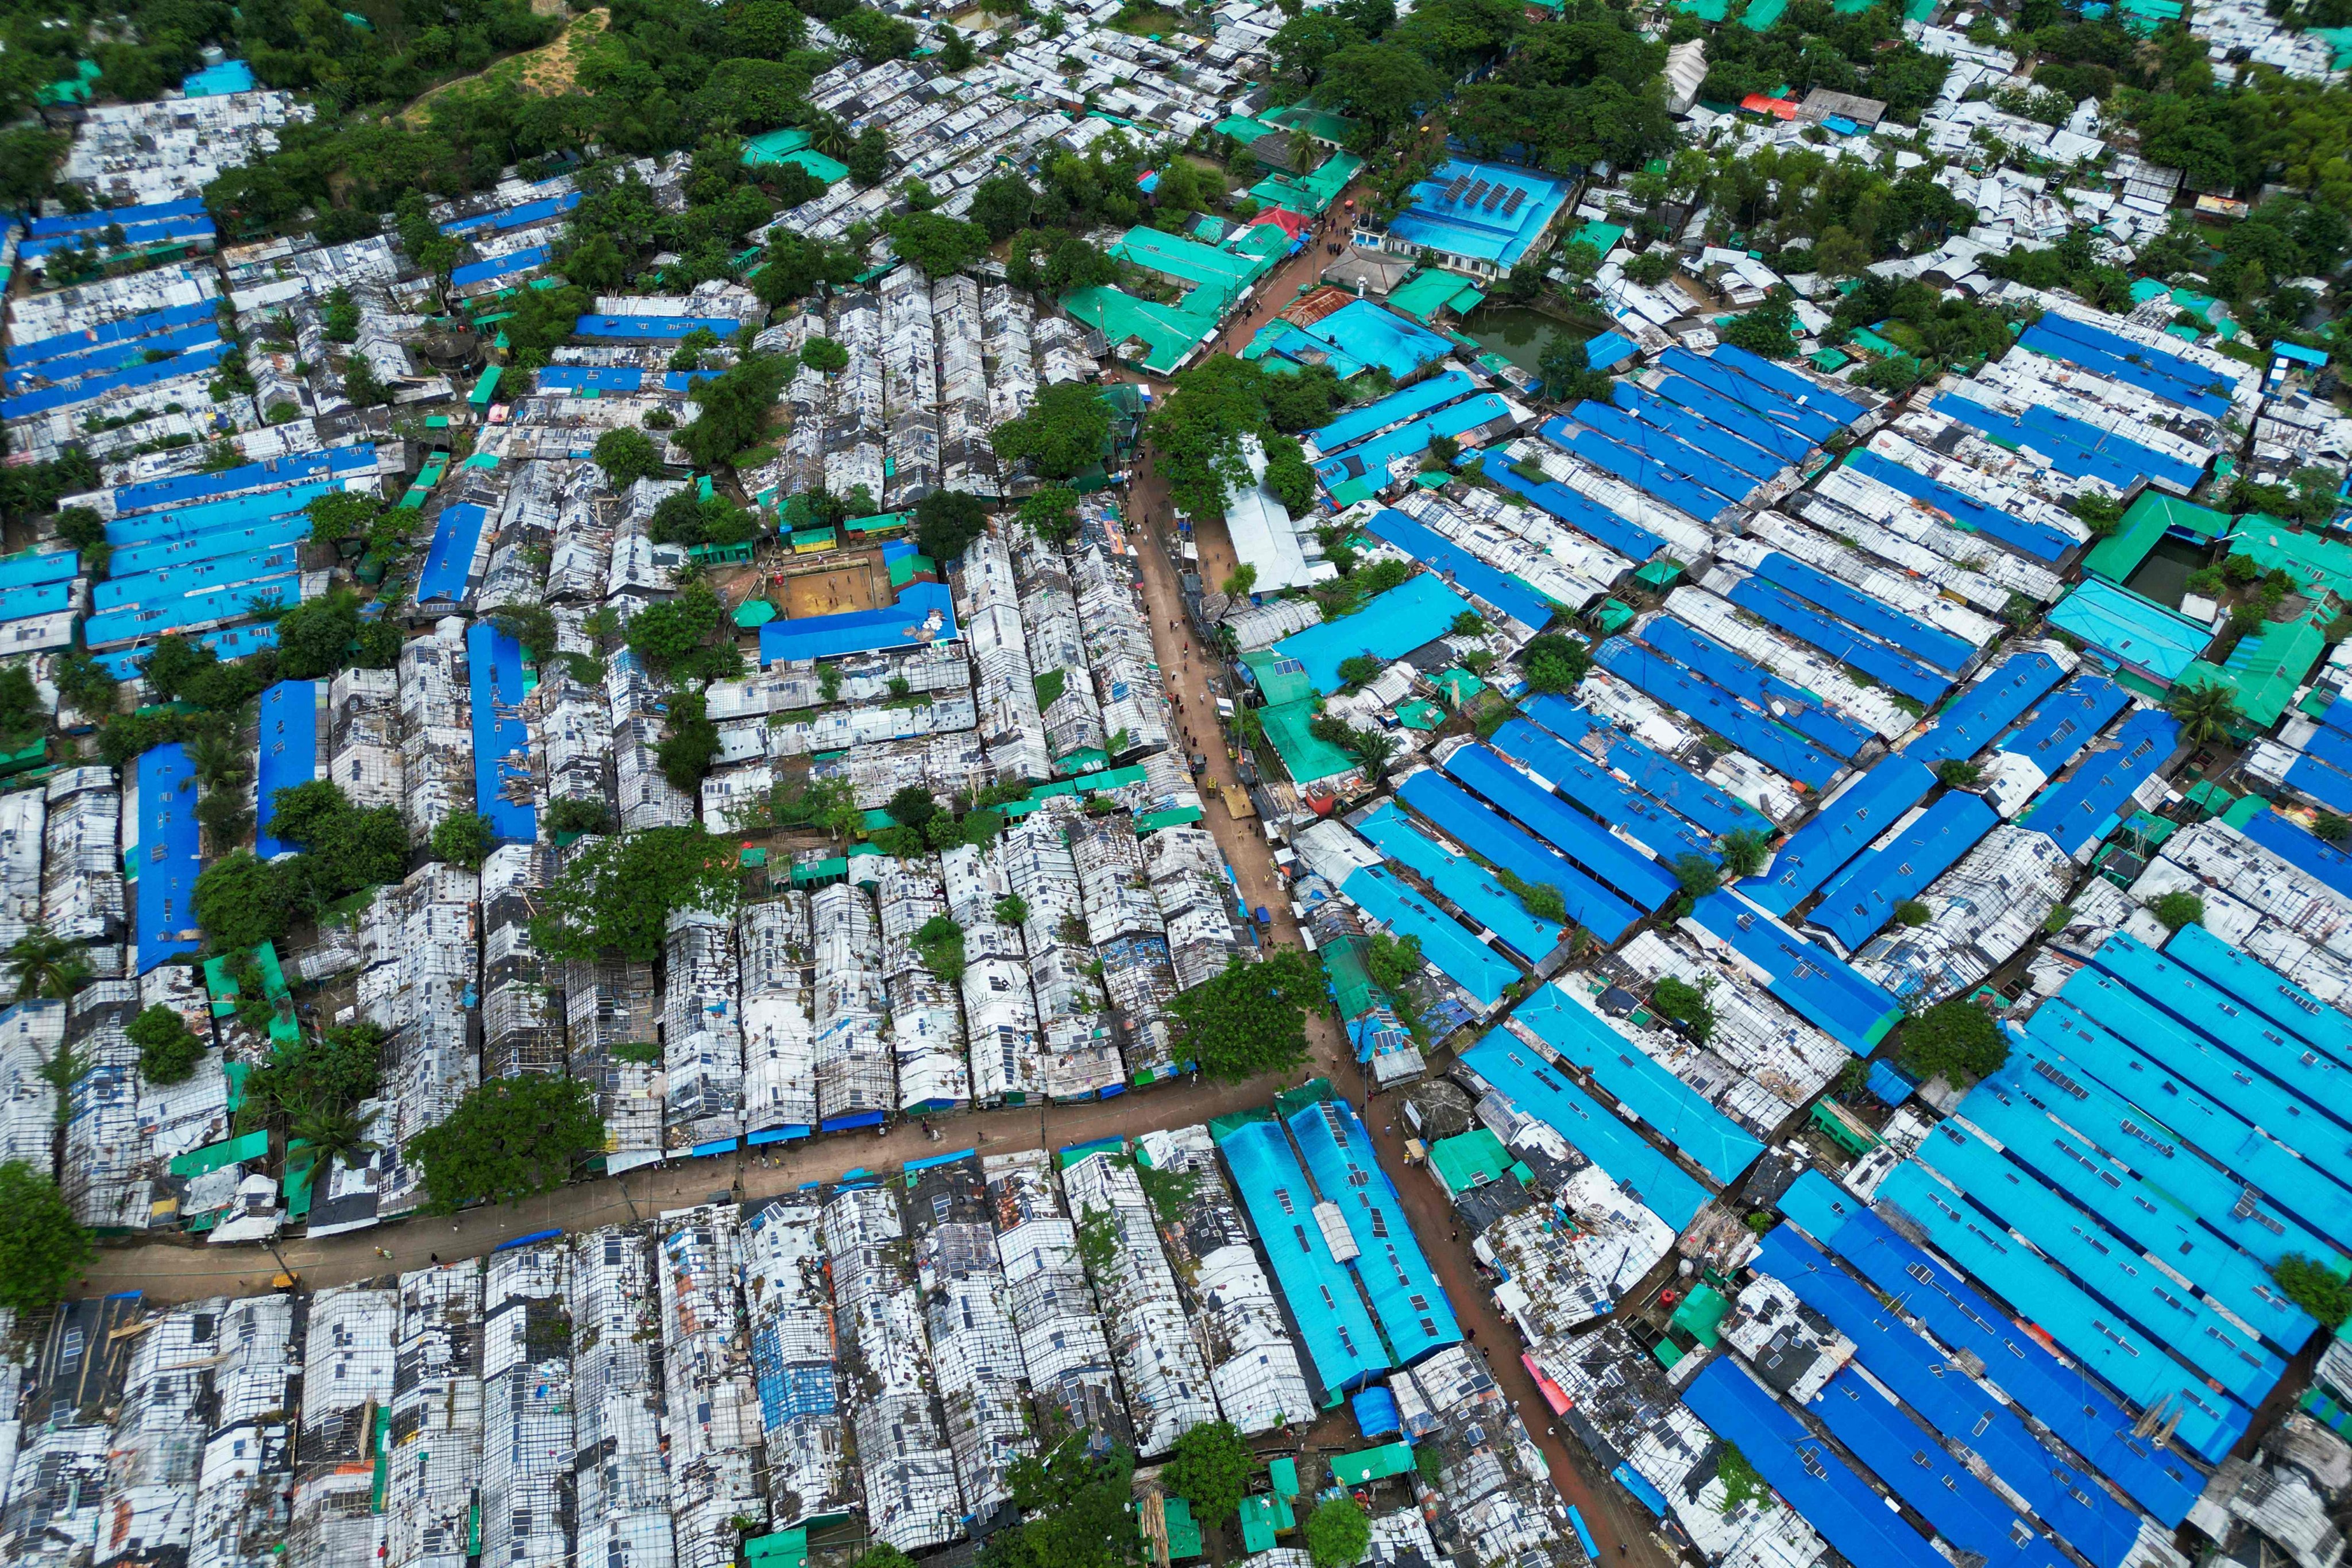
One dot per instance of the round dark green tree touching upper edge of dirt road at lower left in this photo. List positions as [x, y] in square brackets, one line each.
[507, 1141]
